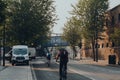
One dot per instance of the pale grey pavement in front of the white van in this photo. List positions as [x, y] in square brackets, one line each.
[15, 73]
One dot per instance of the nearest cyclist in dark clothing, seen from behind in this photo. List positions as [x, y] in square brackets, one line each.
[63, 54]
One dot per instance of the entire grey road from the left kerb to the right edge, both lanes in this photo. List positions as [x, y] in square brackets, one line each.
[76, 71]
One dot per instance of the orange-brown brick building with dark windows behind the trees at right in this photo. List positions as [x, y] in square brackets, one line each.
[106, 47]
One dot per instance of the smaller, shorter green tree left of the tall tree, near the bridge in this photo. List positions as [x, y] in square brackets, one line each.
[71, 34]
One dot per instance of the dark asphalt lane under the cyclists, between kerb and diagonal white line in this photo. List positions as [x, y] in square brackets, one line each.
[41, 71]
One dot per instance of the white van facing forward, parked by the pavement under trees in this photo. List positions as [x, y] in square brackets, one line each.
[20, 54]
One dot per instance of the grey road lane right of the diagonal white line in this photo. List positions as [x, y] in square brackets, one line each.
[96, 72]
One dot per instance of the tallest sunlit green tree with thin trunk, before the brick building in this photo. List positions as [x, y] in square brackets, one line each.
[90, 18]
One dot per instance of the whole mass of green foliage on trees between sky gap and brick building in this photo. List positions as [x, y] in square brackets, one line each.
[86, 23]
